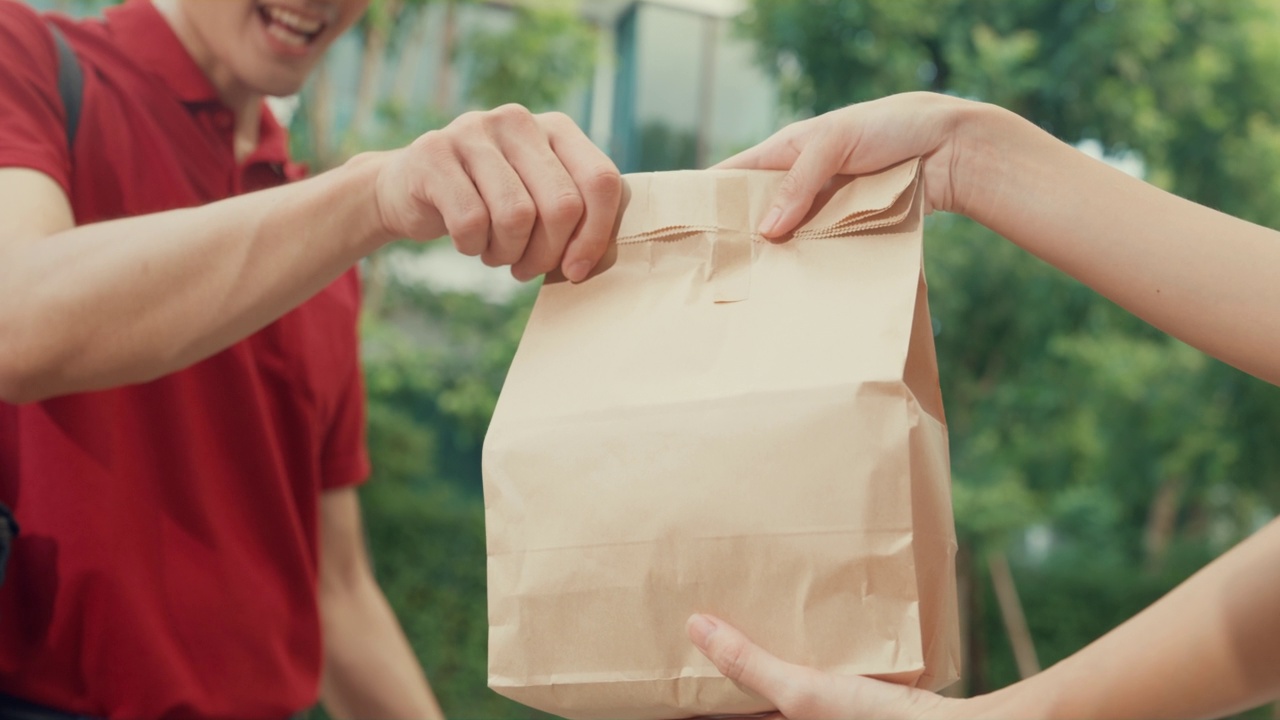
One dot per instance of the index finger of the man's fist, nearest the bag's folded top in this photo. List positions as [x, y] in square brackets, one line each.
[601, 186]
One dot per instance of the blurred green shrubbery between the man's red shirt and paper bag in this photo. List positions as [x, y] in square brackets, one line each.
[433, 367]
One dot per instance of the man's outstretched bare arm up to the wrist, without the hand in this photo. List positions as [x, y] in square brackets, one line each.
[109, 304]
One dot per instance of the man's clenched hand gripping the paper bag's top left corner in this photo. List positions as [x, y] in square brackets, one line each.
[515, 189]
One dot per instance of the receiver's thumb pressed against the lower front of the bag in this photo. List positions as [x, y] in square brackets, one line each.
[739, 659]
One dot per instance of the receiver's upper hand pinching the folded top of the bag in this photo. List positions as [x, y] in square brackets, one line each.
[858, 140]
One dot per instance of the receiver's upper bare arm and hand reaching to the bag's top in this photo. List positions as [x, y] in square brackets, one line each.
[1201, 276]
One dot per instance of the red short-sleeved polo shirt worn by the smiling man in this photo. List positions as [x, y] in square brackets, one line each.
[167, 564]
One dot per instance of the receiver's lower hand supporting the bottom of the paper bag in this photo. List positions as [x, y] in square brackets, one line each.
[803, 694]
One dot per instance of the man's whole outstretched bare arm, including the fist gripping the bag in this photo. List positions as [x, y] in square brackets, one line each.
[108, 304]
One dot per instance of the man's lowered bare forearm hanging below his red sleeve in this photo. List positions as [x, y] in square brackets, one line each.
[369, 667]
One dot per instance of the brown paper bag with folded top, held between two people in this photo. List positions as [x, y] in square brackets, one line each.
[725, 425]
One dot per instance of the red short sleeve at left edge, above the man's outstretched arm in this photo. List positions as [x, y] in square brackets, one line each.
[31, 112]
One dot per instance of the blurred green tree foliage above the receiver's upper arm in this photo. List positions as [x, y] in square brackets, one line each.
[1188, 85]
